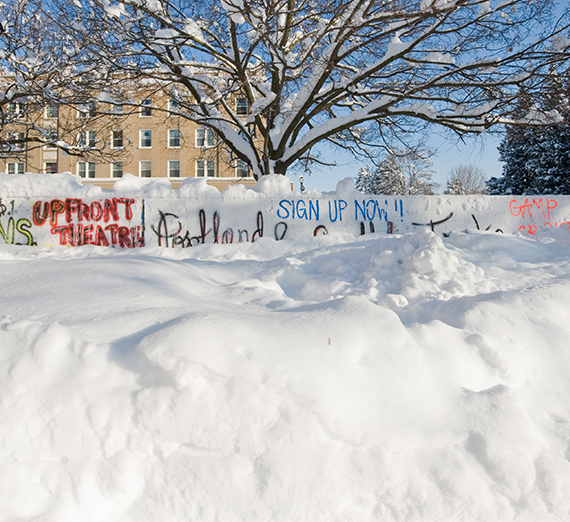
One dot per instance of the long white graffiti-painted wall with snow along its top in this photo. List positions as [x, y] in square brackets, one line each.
[139, 213]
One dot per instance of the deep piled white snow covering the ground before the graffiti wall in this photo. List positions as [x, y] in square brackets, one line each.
[394, 378]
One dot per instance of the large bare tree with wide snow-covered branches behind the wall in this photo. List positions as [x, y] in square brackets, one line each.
[359, 74]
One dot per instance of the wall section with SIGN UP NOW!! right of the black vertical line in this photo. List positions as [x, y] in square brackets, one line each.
[181, 223]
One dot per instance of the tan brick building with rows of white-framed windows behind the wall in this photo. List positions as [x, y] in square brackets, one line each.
[102, 141]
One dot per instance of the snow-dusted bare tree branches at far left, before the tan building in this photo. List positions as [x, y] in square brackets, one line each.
[45, 69]
